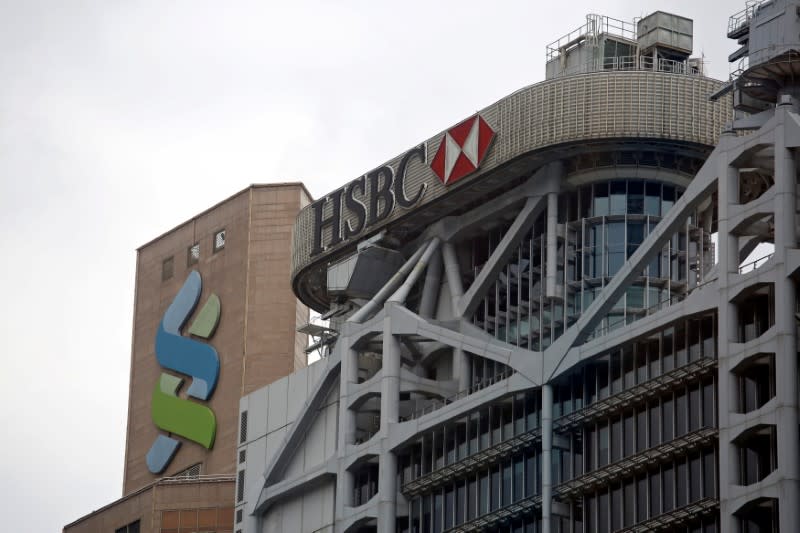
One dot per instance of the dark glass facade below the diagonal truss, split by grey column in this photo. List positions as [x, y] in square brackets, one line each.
[635, 441]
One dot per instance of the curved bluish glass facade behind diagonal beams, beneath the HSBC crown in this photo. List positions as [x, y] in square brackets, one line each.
[600, 226]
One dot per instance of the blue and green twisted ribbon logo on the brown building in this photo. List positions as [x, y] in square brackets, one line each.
[190, 357]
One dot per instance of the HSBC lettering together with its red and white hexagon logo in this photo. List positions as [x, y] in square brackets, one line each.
[370, 199]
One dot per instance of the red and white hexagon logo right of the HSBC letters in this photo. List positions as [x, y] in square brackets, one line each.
[462, 149]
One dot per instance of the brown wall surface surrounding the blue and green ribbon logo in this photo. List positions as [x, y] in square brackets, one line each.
[256, 338]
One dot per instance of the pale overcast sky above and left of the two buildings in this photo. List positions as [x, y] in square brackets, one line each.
[121, 119]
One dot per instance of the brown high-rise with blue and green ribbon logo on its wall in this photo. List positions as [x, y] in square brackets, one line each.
[214, 319]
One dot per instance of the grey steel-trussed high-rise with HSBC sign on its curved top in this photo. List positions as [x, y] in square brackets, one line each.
[544, 318]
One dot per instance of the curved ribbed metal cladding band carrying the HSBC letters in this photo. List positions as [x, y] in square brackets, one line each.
[642, 106]
